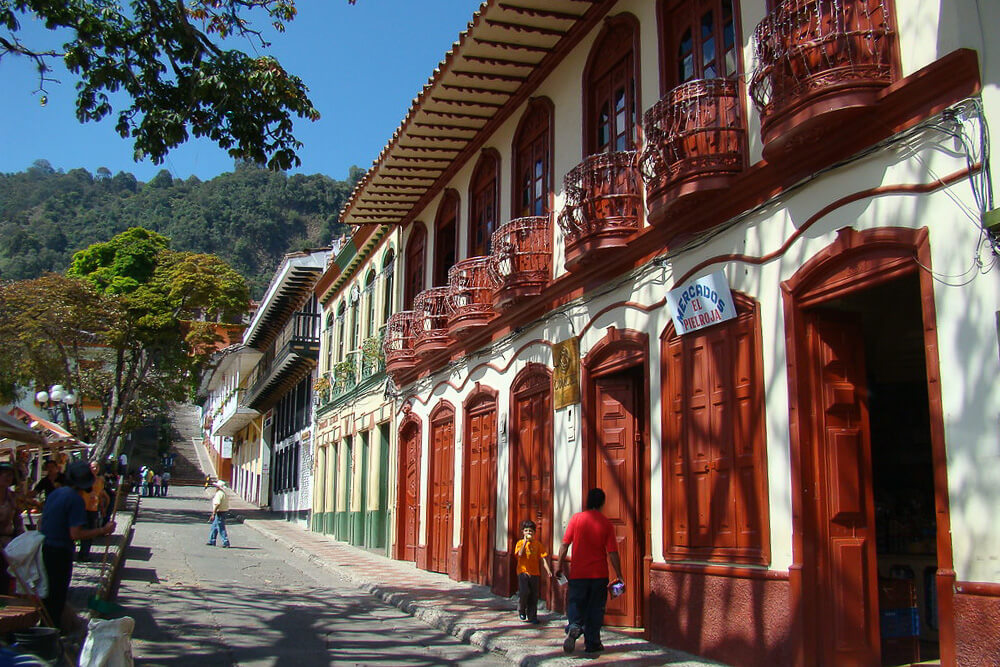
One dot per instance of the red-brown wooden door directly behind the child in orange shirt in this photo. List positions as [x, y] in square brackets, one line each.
[531, 452]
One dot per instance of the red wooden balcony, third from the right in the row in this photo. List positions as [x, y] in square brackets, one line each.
[603, 206]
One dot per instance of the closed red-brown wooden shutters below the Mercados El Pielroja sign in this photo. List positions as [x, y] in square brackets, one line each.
[715, 486]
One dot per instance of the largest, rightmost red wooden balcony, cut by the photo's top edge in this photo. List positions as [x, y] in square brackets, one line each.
[818, 63]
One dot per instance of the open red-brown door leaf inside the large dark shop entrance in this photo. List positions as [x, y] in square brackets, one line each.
[842, 567]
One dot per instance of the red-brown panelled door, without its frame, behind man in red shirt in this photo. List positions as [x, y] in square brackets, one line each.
[615, 468]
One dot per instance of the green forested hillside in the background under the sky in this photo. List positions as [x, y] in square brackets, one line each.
[249, 217]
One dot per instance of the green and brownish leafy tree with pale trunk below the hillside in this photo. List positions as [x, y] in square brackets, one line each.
[127, 326]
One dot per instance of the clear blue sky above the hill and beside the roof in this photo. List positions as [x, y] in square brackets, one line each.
[363, 65]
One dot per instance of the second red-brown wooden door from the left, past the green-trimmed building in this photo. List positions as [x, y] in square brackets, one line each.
[442, 492]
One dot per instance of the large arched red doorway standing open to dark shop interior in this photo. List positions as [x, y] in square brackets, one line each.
[868, 453]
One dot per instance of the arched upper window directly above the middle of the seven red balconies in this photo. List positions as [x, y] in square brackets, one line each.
[532, 161]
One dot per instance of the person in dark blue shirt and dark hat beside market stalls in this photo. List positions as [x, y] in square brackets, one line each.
[64, 520]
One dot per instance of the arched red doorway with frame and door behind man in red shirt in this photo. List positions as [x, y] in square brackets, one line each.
[615, 455]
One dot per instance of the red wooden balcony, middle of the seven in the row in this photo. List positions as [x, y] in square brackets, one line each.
[521, 262]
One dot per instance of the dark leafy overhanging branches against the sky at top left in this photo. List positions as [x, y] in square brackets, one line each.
[167, 57]
